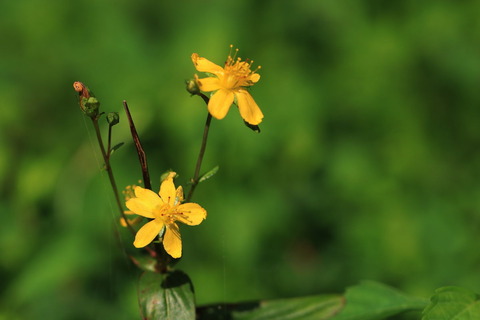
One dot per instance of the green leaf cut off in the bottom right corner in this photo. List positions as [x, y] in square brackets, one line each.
[453, 303]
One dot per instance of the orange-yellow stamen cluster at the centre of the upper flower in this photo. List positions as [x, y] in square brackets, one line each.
[237, 73]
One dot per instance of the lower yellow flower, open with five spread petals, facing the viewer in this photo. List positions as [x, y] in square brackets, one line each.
[165, 208]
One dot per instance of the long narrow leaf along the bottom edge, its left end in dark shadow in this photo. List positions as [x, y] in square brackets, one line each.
[315, 308]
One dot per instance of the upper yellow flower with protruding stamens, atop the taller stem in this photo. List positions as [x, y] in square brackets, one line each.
[230, 83]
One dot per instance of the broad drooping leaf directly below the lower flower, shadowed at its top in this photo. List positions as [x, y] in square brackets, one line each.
[166, 296]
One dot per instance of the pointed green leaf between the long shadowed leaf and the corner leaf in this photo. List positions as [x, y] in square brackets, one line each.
[370, 300]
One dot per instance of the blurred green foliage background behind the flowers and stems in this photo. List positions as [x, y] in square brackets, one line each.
[367, 166]
